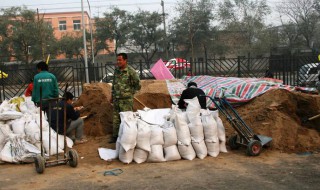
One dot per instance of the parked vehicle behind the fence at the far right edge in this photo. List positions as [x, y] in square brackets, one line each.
[308, 75]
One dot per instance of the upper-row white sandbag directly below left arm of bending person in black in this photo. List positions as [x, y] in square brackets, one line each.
[182, 128]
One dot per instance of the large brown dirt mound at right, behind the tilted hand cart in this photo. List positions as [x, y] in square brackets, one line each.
[279, 114]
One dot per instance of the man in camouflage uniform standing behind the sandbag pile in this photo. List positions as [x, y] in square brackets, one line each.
[125, 84]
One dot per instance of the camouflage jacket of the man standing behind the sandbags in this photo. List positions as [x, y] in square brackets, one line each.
[125, 83]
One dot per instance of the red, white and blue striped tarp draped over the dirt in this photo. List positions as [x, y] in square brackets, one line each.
[235, 90]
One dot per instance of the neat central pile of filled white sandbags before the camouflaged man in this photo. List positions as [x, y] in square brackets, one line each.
[170, 134]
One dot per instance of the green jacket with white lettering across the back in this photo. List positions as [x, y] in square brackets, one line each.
[49, 86]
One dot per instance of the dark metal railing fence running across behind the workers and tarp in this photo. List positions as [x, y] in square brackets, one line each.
[287, 69]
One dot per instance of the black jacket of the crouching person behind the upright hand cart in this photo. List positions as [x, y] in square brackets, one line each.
[59, 110]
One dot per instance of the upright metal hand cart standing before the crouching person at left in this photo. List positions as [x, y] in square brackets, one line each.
[71, 157]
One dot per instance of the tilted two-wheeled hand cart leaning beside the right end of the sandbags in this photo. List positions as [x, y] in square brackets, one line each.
[245, 136]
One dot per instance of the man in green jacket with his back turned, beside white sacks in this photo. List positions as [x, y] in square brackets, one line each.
[49, 85]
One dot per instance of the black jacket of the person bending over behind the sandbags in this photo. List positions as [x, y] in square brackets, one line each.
[190, 93]
